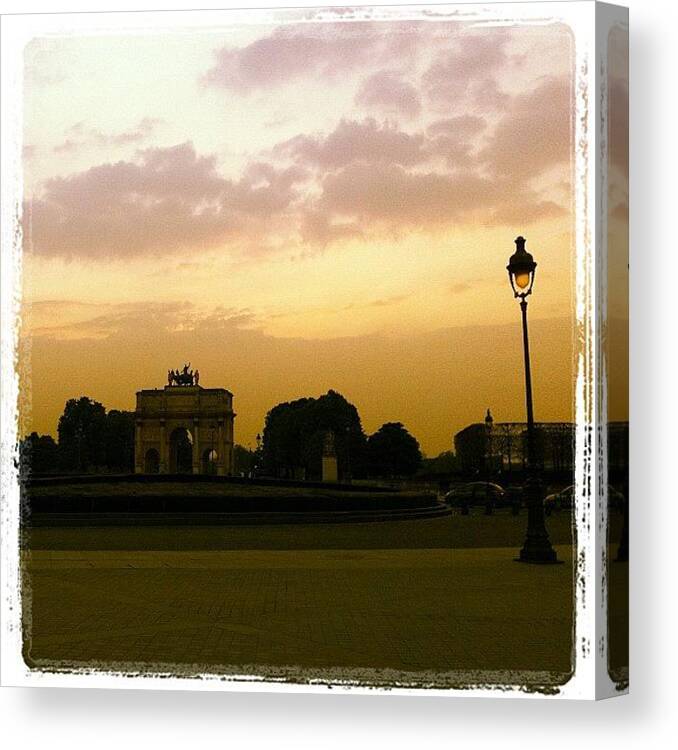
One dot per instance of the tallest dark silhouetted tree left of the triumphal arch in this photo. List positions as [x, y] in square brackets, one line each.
[82, 434]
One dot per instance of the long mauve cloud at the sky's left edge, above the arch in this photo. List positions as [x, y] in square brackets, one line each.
[169, 199]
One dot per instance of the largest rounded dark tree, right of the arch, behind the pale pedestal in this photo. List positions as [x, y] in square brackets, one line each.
[294, 433]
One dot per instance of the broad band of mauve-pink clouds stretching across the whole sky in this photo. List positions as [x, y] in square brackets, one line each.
[363, 179]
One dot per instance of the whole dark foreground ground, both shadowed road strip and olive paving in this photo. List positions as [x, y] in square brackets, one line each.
[426, 601]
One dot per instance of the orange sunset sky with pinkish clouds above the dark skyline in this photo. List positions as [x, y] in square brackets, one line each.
[300, 207]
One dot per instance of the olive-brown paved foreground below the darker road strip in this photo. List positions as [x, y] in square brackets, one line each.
[405, 609]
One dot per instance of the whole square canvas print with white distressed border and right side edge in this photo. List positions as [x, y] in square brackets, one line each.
[305, 350]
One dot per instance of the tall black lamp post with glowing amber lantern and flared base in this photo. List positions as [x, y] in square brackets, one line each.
[537, 547]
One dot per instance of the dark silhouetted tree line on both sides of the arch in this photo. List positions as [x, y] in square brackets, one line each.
[92, 439]
